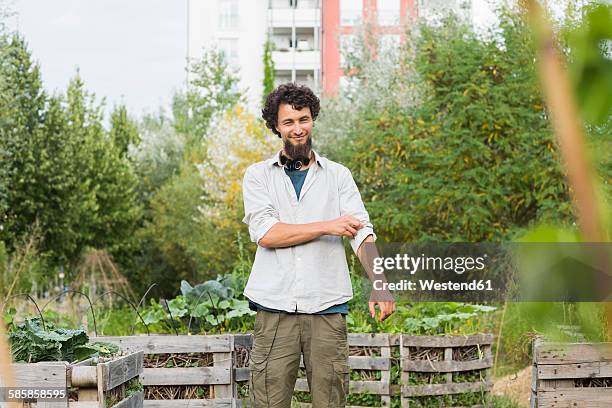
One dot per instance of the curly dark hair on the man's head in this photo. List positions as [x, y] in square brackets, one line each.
[298, 96]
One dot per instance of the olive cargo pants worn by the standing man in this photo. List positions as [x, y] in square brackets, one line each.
[280, 339]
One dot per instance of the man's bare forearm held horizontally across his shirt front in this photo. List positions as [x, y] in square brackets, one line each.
[285, 235]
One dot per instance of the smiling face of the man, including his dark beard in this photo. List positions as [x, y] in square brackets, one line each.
[295, 127]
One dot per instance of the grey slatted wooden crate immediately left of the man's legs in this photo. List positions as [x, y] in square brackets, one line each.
[215, 378]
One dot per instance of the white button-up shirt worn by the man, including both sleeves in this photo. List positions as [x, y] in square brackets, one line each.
[312, 276]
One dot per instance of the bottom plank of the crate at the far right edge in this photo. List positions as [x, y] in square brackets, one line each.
[575, 397]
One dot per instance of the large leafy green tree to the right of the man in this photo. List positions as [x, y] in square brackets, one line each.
[473, 157]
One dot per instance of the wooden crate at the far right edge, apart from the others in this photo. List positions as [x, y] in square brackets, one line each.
[571, 375]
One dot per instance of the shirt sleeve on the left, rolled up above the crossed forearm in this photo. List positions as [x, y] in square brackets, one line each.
[259, 213]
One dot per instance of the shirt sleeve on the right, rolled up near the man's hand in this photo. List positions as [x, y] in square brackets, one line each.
[351, 204]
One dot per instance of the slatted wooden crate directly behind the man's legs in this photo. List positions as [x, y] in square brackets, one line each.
[361, 348]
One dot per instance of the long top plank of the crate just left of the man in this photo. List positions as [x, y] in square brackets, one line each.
[160, 344]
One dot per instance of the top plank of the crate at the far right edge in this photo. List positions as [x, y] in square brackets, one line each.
[558, 353]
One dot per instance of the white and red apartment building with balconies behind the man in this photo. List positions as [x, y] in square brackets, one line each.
[308, 36]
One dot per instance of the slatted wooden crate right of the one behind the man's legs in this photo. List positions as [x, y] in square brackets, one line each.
[435, 360]
